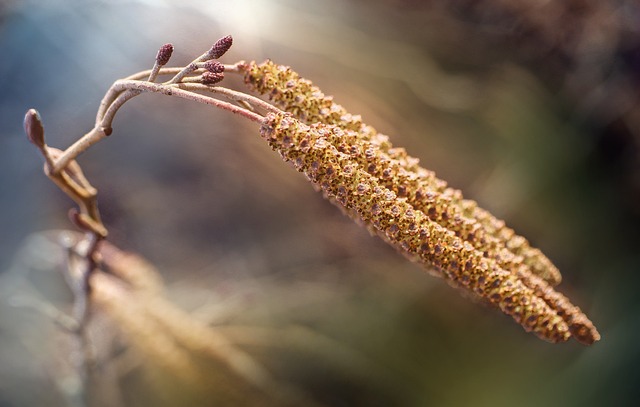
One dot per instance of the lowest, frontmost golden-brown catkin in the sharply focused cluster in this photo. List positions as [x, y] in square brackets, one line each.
[406, 228]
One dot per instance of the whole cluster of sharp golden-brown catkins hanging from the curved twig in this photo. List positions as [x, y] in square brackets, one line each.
[386, 189]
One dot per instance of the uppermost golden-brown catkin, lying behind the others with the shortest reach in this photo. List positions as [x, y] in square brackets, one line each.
[401, 173]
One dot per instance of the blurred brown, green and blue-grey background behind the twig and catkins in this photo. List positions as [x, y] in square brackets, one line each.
[531, 108]
